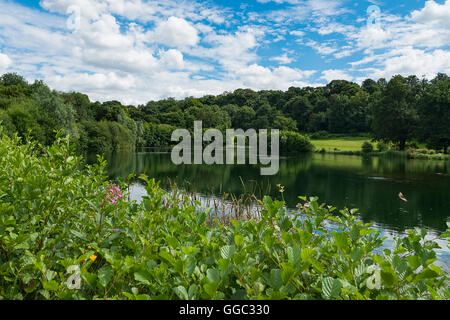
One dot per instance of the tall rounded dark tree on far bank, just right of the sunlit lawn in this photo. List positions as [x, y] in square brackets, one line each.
[395, 114]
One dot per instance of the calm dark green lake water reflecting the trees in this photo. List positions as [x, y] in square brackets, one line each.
[371, 184]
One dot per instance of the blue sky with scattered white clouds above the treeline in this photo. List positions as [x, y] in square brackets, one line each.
[135, 51]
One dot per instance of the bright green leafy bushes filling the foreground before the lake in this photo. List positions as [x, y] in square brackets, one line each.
[58, 222]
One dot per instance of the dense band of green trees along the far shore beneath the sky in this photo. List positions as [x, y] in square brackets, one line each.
[400, 110]
